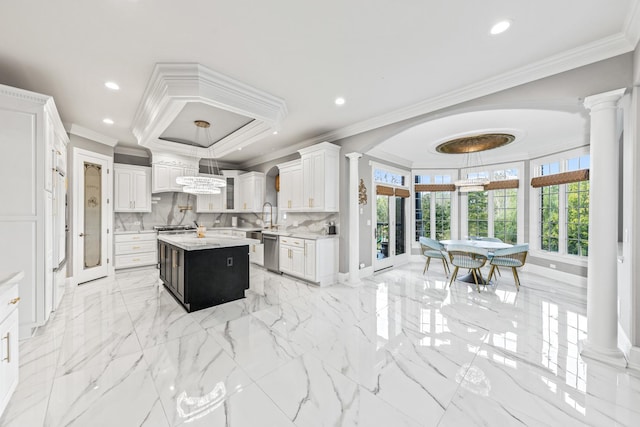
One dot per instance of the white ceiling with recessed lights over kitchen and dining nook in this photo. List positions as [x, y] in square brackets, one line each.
[389, 60]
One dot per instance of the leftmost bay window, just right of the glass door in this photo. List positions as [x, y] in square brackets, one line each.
[433, 209]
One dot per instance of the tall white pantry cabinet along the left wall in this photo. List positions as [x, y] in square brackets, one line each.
[31, 136]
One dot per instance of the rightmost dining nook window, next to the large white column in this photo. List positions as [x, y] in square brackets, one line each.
[563, 218]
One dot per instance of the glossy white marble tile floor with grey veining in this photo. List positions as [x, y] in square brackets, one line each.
[402, 349]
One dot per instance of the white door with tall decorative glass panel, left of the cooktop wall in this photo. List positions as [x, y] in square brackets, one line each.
[91, 219]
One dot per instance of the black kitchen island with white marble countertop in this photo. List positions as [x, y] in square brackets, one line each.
[203, 272]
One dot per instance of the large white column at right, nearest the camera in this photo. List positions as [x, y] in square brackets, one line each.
[602, 284]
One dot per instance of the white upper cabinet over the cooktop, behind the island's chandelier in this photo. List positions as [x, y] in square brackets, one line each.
[167, 167]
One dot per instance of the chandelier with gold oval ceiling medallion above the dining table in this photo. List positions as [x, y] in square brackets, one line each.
[474, 144]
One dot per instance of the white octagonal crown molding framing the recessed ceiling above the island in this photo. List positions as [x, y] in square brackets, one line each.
[172, 86]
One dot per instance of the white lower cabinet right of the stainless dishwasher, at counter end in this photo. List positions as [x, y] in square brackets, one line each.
[315, 260]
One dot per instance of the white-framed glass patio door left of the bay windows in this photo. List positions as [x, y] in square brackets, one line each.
[391, 231]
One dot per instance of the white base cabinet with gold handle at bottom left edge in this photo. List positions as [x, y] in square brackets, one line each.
[8, 341]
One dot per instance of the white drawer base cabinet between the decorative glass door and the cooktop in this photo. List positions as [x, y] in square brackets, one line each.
[135, 250]
